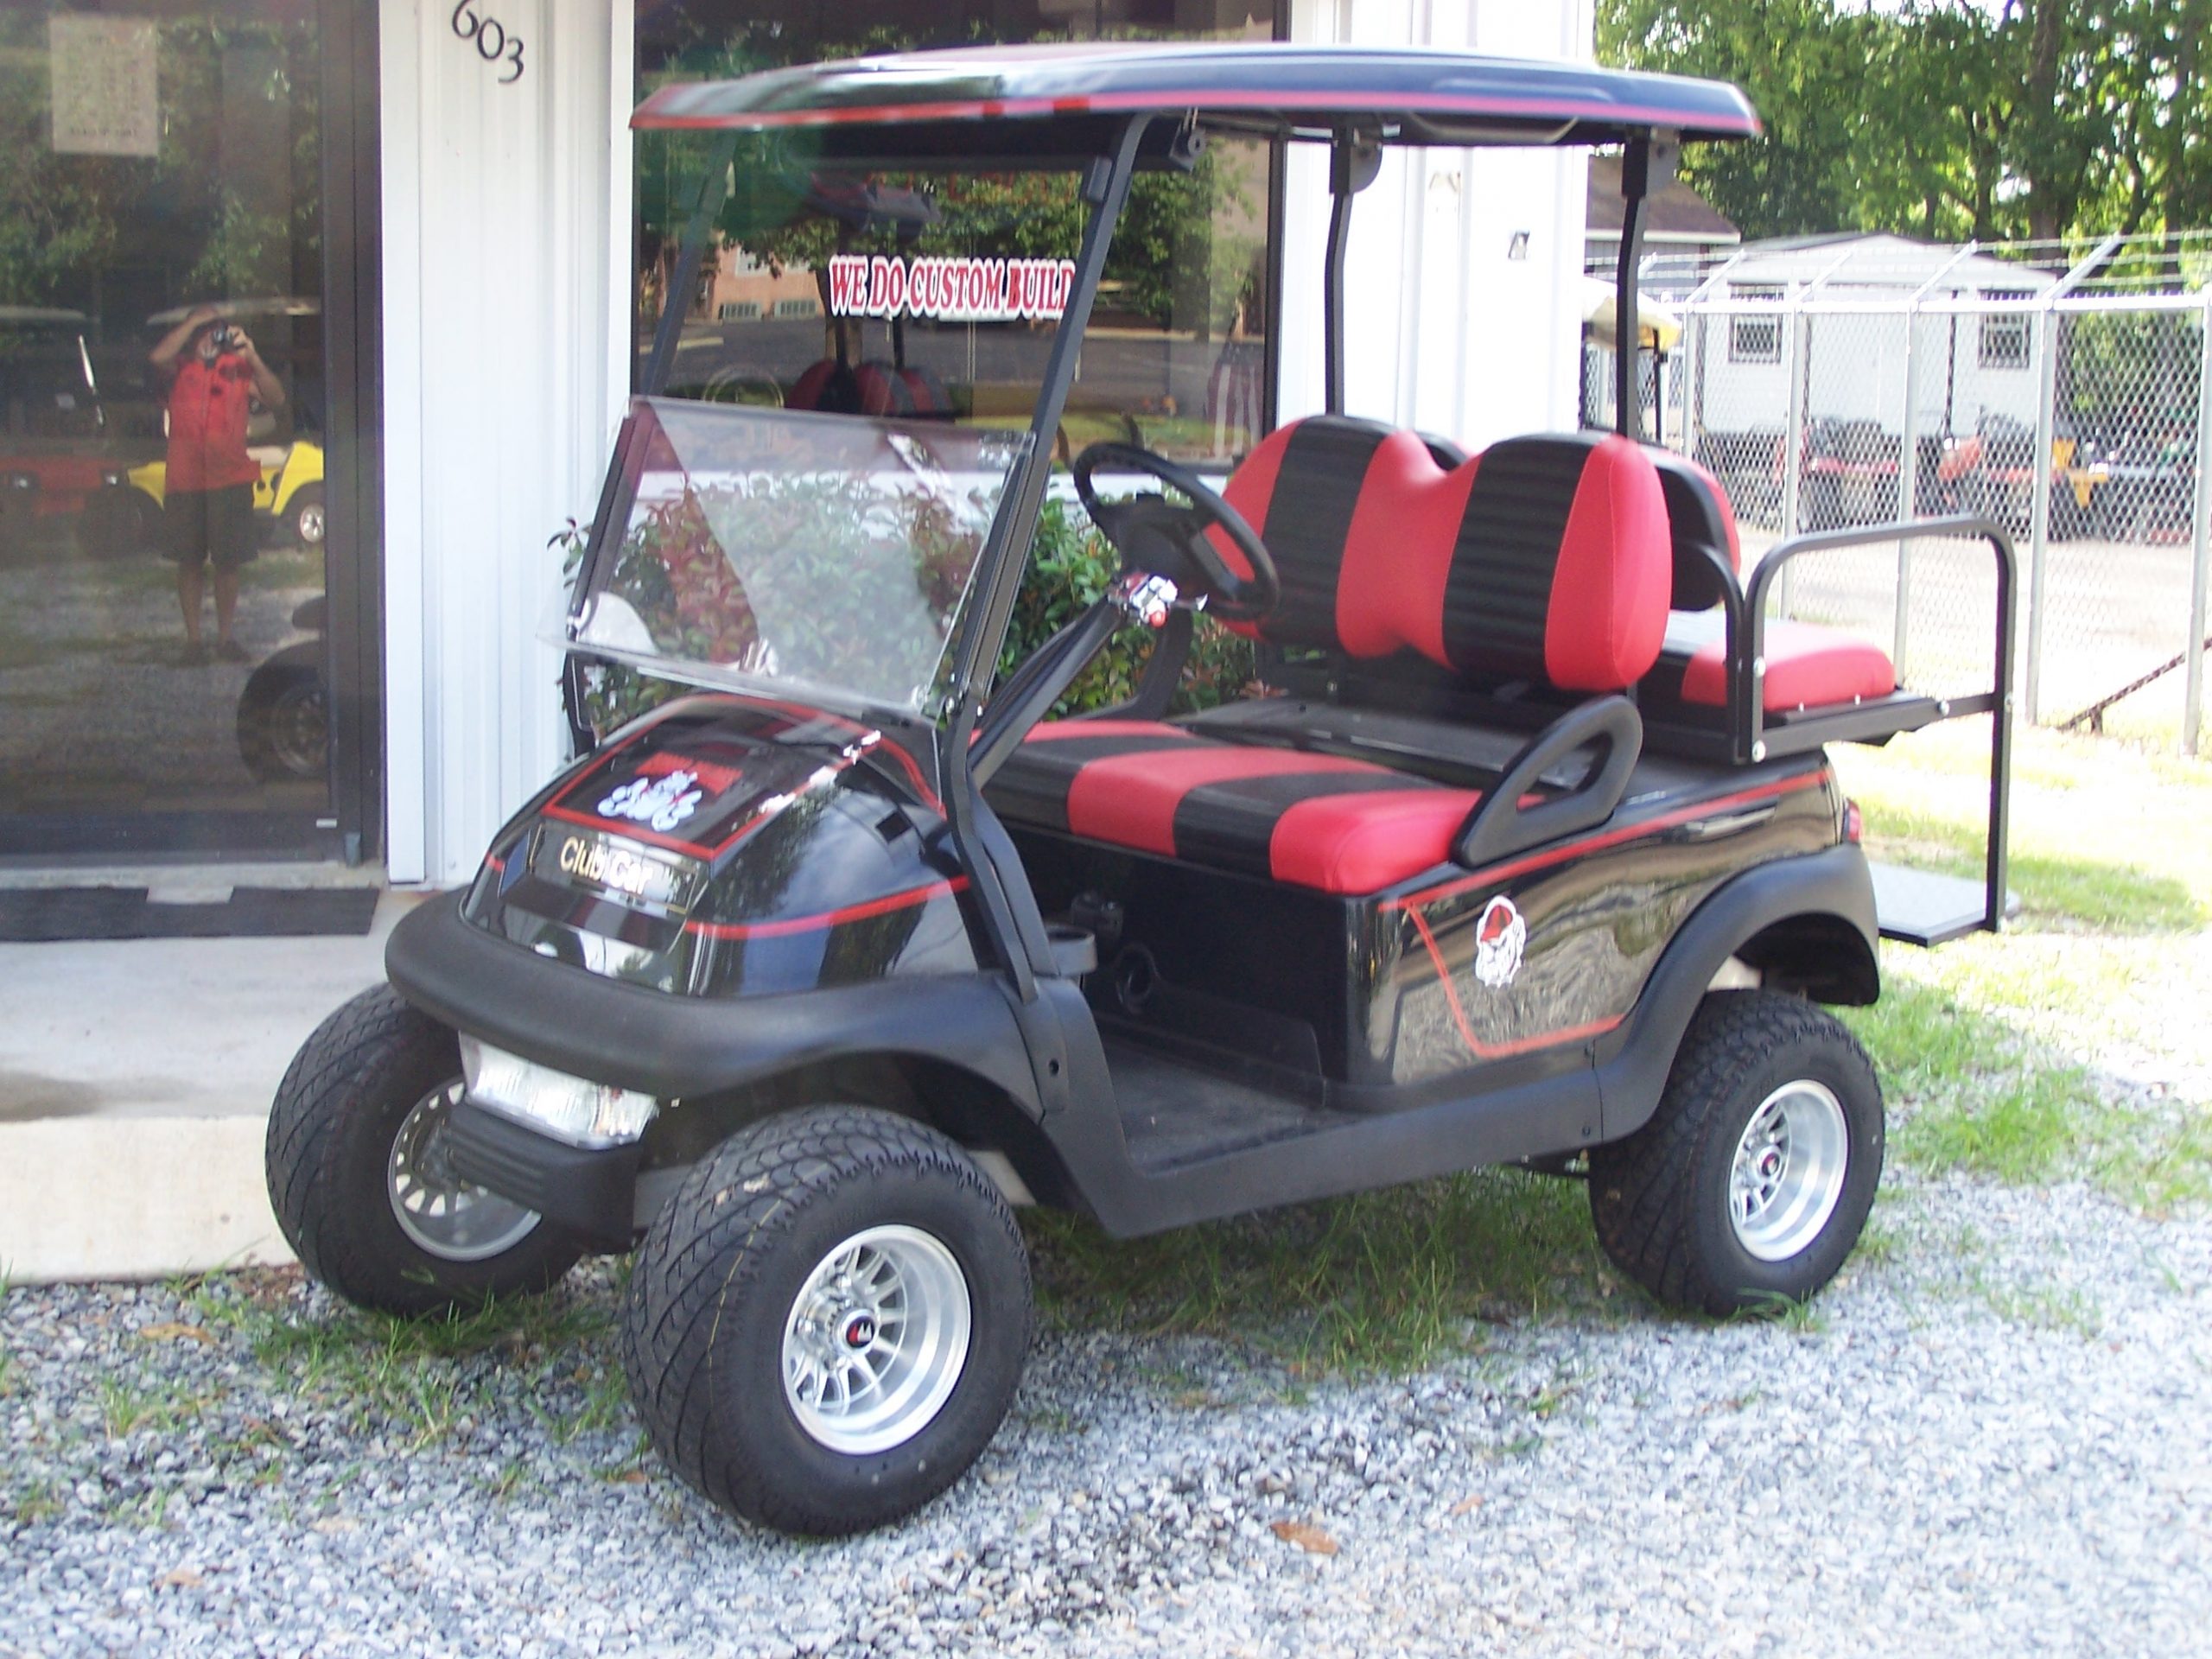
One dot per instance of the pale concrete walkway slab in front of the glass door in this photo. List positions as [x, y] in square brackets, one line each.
[136, 1081]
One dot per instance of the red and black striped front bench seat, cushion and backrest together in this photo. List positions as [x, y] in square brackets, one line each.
[1545, 559]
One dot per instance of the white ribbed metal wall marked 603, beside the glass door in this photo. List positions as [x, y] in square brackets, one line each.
[505, 298]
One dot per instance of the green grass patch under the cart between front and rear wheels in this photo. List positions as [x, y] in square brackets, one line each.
[1381, 1282]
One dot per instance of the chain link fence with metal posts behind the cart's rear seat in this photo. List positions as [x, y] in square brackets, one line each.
[2060, 390]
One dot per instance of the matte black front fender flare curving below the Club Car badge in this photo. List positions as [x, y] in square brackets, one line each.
[689, 1047]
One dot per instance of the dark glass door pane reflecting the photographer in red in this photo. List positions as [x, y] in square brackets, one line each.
[163, 671]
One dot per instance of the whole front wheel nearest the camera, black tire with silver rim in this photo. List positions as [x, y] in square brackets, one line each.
[828, 1319]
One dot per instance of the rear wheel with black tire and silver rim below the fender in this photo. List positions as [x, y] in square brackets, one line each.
[1751, 1185]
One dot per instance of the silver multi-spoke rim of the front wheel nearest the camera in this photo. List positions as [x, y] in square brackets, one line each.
[877, 1342]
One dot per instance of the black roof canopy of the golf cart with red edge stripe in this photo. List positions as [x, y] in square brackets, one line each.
[1070, 98]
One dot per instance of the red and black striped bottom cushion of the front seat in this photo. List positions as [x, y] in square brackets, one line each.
[1322, 822]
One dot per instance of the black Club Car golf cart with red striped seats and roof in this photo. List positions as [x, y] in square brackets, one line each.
[802, 981]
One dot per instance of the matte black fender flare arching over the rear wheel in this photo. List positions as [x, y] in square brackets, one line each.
[1634, 1061]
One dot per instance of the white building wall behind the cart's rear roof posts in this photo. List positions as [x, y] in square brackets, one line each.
[1443, 328]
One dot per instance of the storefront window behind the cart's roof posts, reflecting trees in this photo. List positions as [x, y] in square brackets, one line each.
[1178, 348]
